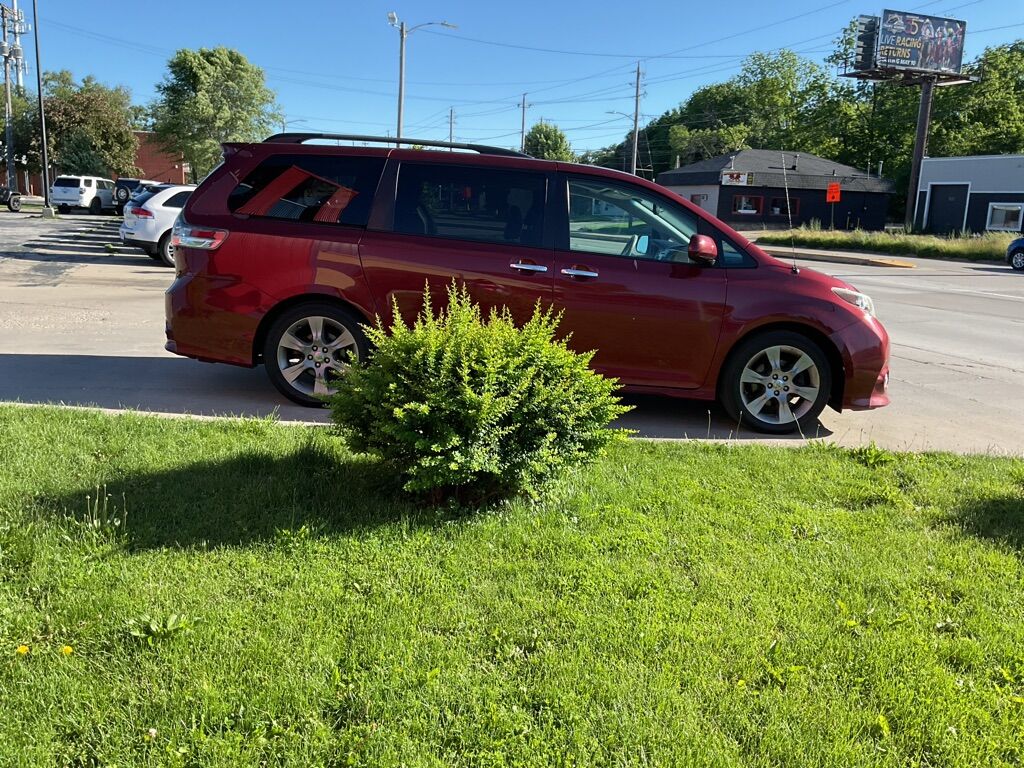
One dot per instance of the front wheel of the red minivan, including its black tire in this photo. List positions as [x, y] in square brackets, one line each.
[767, 385]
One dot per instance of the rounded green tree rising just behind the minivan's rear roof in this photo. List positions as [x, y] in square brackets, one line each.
[210, 97]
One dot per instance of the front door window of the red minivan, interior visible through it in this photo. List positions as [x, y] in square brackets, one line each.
[612, 219]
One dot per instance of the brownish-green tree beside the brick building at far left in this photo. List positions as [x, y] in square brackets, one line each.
[88, 126]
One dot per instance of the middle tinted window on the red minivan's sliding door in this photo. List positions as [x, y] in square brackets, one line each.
[489, 205]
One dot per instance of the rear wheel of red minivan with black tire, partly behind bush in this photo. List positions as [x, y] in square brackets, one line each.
[303, 389]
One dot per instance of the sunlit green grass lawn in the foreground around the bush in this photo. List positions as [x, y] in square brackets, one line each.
[676, 605]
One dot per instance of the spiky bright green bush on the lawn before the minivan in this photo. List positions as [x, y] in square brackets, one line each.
[476, 409]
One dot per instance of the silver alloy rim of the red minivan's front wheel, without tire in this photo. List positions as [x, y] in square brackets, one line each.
[780, 385]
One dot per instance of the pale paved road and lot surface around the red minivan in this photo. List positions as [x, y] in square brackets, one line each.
[81, 323]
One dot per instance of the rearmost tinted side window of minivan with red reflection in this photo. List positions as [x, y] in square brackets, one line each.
[310, 188]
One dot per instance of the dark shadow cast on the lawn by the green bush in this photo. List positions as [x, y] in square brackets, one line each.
[250, 498]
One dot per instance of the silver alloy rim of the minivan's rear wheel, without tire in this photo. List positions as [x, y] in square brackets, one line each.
[313, 351]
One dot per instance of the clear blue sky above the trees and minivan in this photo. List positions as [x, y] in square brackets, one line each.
[334, 64]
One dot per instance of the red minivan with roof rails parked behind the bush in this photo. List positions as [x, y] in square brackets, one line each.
[291, 246]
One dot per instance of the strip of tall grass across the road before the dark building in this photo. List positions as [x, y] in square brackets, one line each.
[990, 247]
